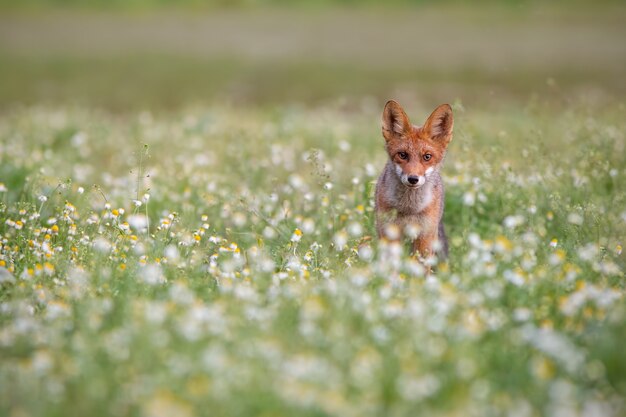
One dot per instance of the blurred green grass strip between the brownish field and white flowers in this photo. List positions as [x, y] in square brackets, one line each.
[171, 82]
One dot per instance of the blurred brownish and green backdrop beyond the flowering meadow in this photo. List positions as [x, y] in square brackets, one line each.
[154, 54]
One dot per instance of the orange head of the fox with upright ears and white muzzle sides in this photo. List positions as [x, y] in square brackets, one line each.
[416, 152]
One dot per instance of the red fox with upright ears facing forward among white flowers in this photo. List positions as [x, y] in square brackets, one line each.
[409, 192]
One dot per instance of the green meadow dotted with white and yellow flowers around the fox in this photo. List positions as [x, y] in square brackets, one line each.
[219, 257]
